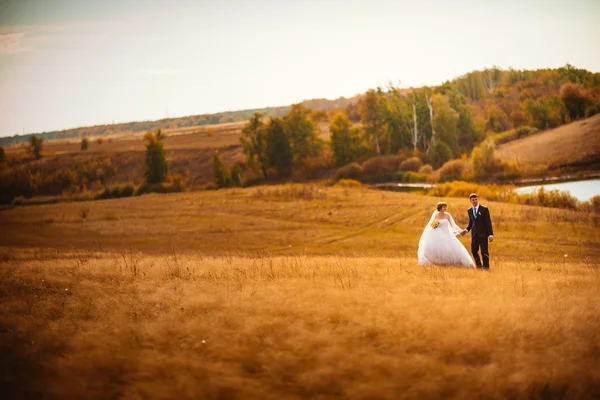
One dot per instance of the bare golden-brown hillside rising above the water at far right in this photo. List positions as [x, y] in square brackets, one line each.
[576, 144]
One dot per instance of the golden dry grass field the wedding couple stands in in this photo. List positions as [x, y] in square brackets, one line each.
[292, 292]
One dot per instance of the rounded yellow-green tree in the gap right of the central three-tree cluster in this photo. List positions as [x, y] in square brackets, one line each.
[346, 142]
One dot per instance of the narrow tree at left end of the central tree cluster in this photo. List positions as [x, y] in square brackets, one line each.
[254, 143]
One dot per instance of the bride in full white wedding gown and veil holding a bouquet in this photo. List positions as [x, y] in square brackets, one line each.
[438, 244]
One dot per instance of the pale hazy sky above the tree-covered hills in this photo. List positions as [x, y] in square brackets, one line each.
[72, 63]
